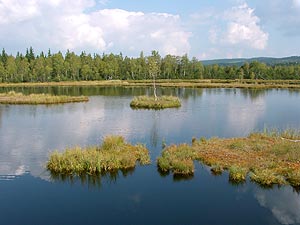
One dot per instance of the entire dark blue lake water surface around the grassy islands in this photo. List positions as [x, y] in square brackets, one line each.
[29, 195]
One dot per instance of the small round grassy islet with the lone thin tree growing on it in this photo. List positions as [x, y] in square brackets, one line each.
[148, 102]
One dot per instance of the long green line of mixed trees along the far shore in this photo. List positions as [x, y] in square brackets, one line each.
[42, 67]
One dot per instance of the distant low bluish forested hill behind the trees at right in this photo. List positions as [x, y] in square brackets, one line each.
[267, 60]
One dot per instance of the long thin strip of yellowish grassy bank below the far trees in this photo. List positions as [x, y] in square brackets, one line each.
[197, 83]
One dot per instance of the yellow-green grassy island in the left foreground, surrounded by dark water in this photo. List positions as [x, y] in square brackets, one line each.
[113, 154]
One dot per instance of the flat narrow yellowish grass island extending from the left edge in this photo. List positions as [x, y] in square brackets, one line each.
[35, 99]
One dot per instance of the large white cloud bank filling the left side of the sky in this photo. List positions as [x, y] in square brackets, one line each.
[76, 25]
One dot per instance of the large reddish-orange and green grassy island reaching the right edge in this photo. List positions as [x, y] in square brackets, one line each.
[267, 158]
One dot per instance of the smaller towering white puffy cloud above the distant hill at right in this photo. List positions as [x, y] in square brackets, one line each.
[243, 28]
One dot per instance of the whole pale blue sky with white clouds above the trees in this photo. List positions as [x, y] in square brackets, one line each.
[206, 29]
